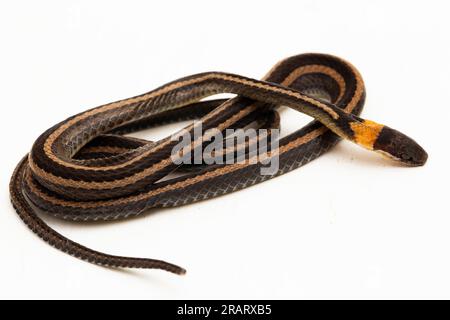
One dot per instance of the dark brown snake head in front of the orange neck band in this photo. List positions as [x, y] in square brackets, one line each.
[400, 147]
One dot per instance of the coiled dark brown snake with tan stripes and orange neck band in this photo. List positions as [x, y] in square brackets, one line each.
[89, 168]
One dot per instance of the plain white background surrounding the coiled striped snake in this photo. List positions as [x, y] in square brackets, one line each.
[349, 225]
